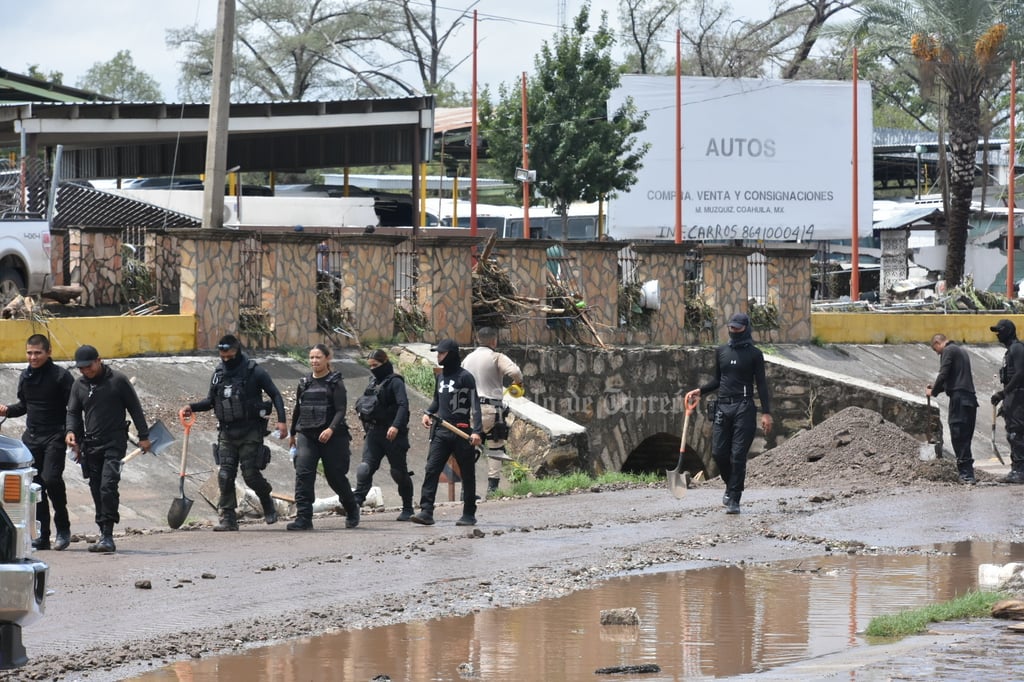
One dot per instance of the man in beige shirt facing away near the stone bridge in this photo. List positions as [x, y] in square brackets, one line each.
[491, 369]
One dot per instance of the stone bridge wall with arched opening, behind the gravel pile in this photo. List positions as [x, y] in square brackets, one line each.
[631, 402]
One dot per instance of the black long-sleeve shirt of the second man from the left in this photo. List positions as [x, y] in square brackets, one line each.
[98, 408]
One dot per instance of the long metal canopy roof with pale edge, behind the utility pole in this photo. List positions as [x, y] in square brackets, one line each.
[159, 140]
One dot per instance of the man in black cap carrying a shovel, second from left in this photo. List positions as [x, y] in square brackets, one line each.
[96, 425]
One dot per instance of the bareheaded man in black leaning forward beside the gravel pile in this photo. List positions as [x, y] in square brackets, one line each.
[956, 379]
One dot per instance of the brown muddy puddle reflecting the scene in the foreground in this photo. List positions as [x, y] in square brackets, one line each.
[717, 622]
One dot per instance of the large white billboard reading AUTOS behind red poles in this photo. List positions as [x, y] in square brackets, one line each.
[762, 160]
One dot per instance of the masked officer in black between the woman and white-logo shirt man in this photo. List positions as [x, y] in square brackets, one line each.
[387, 429]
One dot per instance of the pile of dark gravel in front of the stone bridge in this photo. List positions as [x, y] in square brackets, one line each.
[854, 448]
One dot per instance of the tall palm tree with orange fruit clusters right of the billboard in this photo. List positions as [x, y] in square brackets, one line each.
[964, 47]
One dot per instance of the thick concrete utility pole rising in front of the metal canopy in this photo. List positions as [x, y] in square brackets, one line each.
[221, 103]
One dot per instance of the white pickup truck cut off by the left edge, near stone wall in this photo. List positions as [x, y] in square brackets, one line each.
[25, 257]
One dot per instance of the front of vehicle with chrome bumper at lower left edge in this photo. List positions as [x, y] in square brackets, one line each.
[23, 579]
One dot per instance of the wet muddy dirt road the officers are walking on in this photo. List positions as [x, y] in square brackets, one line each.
[214, 593]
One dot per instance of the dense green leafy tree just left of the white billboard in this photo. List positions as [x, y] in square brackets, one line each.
[580, 152]
